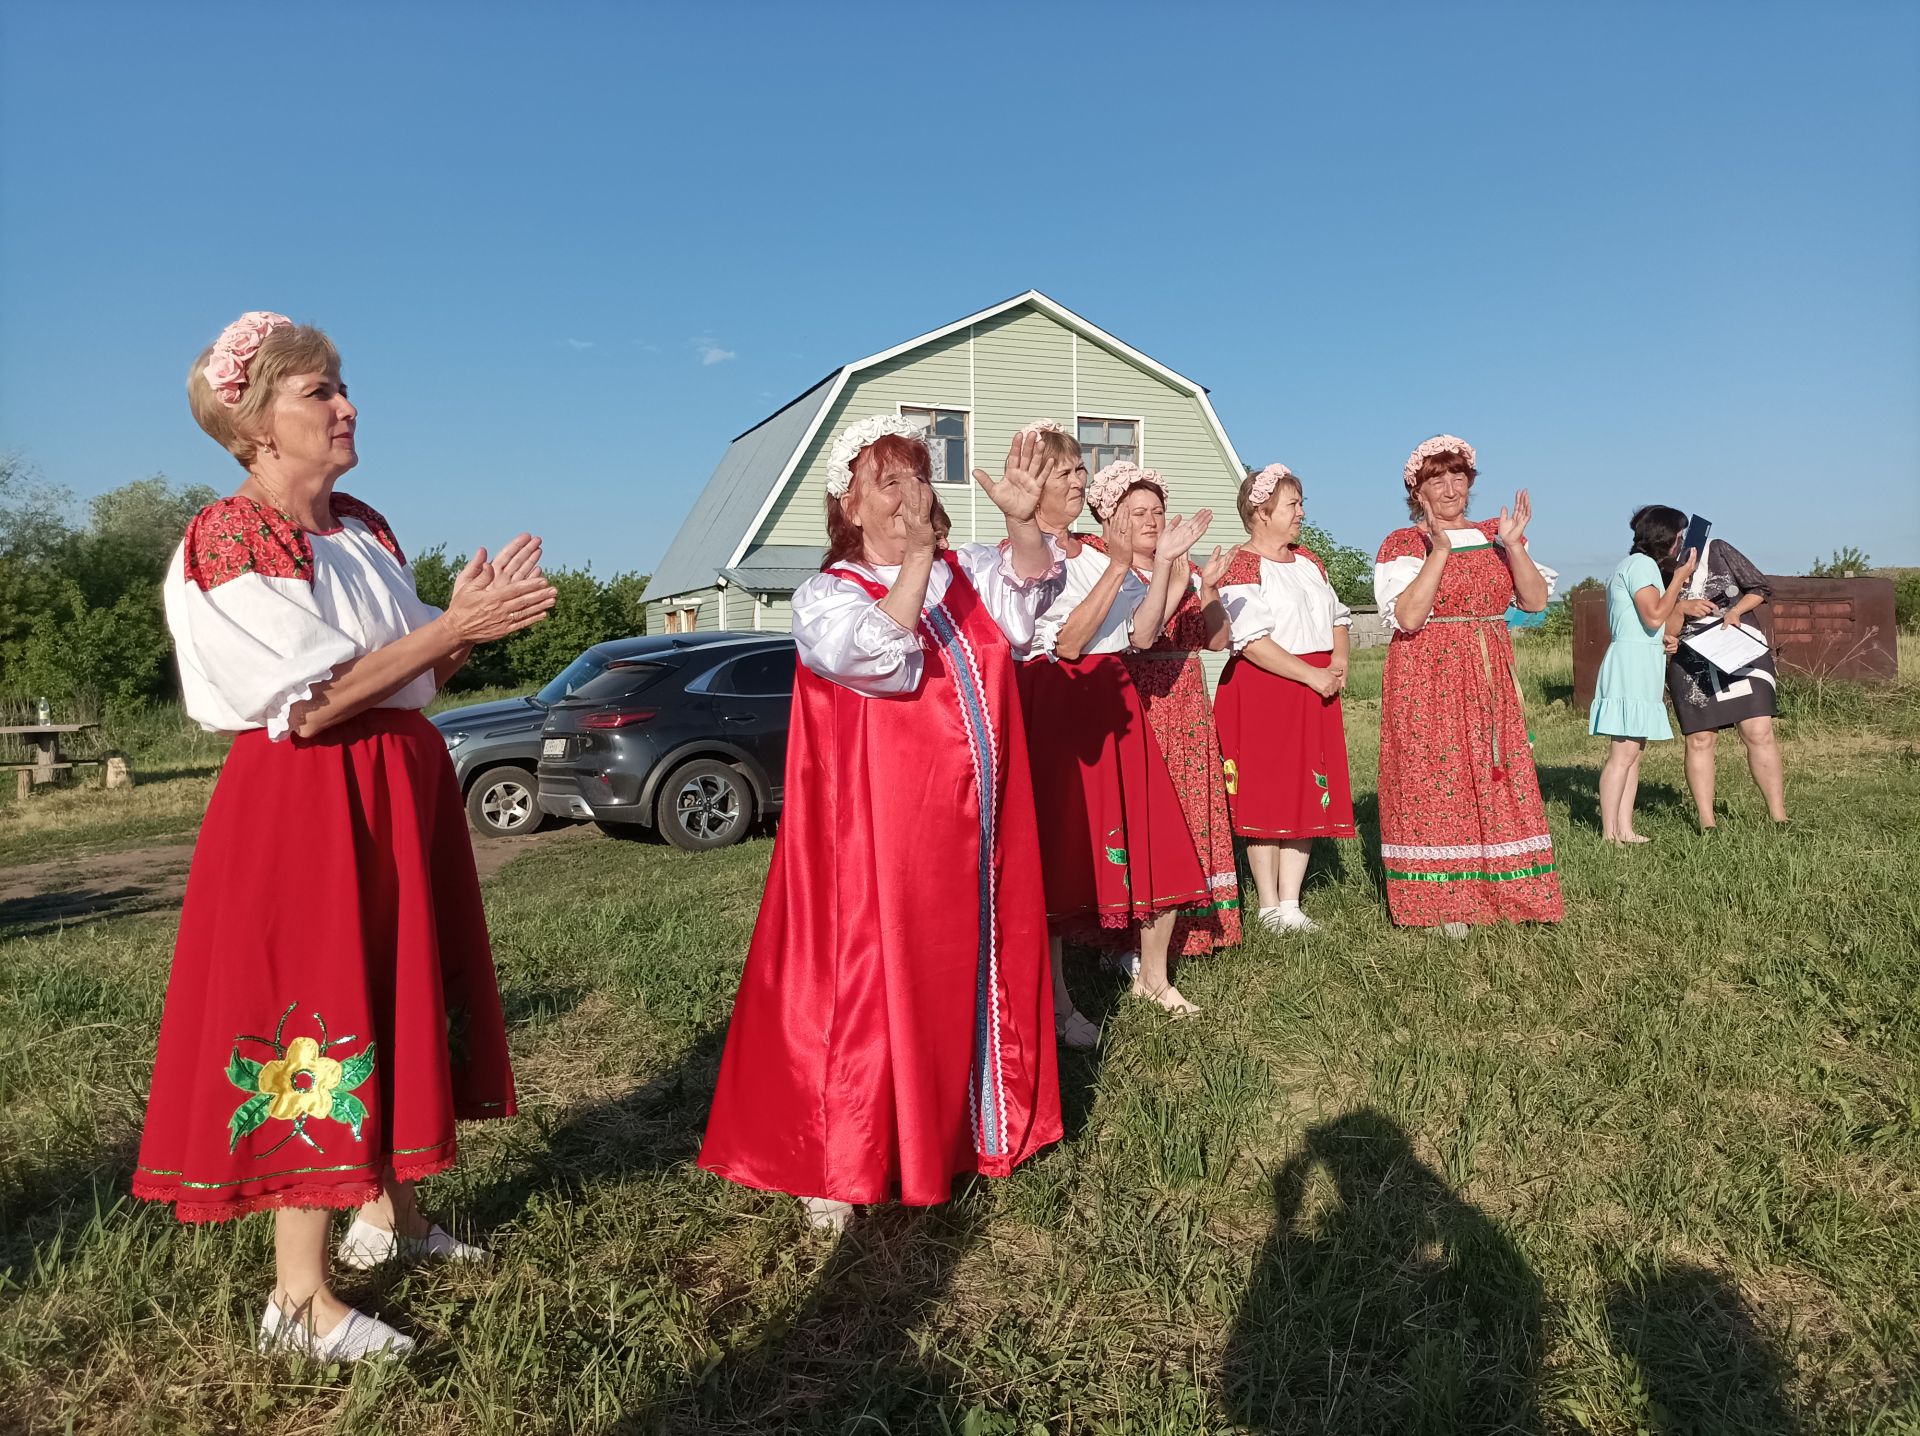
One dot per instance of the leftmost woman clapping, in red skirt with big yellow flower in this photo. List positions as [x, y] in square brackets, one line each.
[333, 1003]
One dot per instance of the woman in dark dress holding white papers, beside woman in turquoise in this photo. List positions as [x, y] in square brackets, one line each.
[1710, 698]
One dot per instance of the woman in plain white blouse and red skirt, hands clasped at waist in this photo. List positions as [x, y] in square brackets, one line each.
[1280, 702]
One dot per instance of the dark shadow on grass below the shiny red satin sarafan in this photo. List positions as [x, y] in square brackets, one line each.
[846, 1360]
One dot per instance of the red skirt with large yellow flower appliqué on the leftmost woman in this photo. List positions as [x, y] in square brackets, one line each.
[333, 1003]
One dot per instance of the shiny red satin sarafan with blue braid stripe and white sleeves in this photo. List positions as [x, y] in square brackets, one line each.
[894, 1026]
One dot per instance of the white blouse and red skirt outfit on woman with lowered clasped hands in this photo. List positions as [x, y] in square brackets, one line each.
[1285, 746]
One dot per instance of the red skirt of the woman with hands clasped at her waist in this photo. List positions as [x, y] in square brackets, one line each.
[1285, 754]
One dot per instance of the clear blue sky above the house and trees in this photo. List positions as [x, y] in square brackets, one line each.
[1633, 252]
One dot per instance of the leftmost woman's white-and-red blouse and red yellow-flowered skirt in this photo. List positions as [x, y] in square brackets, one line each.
[333, 1003]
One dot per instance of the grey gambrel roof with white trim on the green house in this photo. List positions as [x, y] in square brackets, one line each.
[756, 469]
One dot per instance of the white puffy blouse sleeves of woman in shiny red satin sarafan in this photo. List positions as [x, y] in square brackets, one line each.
[844, 634]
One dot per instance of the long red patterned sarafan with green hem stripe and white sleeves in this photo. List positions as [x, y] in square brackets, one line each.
[1464, 832]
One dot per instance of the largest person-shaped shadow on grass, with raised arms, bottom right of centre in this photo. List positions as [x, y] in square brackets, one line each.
[1381, 1301]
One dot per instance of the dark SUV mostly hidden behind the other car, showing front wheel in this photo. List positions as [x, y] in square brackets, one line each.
[496, 746]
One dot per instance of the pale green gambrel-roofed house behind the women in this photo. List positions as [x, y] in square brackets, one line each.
[759, 527]
